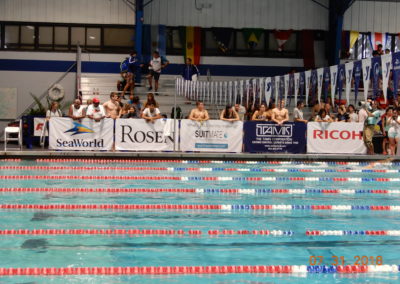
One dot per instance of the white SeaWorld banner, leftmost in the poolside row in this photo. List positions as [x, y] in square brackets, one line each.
[67, 134]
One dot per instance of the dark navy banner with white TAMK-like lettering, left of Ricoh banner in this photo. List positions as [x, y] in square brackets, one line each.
[270, 137]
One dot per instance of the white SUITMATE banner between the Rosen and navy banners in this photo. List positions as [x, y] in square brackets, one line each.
[211, 136]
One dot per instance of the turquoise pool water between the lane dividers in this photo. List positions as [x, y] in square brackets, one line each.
[293, 247]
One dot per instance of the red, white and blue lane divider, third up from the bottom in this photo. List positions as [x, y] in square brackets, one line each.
[227, 207]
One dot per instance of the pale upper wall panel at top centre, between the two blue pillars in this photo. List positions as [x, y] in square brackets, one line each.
[267, 14]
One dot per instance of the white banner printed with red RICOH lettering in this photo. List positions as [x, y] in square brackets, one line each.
[335, 138]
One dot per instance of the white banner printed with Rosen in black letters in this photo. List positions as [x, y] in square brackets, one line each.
[139, 135]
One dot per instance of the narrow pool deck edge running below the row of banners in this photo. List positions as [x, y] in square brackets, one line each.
[39, 153]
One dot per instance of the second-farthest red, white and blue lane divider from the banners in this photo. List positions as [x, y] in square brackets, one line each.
[175, 169]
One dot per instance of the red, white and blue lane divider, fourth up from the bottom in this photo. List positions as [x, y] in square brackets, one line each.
[249, 191]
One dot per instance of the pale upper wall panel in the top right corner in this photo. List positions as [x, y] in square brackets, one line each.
[373, 16]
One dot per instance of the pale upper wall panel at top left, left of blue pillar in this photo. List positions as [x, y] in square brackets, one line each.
[68, 11]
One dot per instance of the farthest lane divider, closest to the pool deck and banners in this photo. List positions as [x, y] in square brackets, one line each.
[129, 161]
